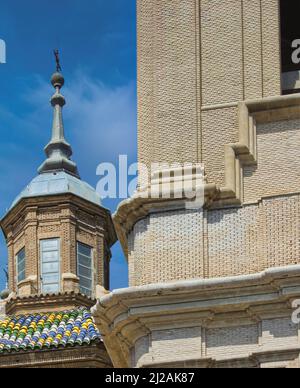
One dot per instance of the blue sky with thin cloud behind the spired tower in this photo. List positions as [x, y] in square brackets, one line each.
[97, 40]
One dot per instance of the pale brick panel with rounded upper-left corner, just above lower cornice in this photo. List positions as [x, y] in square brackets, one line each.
[167, 246]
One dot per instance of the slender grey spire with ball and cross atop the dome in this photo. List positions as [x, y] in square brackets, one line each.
[58, 151]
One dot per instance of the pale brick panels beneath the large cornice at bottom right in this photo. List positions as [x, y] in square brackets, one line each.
[229, 343]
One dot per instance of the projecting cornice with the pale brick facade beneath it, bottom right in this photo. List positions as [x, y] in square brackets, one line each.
[231, 322]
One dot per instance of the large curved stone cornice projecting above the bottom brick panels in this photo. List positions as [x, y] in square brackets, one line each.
[125, 315]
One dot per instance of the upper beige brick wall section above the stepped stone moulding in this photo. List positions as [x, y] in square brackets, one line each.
[193, 55]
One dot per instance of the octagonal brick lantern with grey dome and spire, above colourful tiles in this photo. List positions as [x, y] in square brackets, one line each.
[58, 234]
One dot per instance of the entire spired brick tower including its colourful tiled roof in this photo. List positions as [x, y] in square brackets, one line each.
[59, 238]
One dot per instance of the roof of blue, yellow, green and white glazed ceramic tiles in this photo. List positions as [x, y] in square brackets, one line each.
[45, 331]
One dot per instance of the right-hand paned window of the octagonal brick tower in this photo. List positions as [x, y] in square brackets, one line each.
[85, 264]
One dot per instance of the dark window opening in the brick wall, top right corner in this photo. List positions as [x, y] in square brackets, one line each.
[290, 45]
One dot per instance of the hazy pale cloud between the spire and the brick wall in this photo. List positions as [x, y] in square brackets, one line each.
[102, 119]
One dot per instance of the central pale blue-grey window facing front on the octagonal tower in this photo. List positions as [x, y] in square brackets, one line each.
[52, 264]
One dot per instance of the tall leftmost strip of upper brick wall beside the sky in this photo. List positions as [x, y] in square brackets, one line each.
[167, 81]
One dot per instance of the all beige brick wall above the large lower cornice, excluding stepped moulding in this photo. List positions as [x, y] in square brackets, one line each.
[197, 60]
